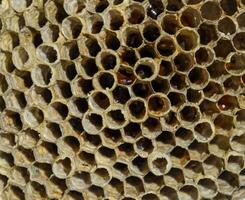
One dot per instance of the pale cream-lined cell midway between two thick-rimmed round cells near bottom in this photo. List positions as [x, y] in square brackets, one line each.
[101, 176]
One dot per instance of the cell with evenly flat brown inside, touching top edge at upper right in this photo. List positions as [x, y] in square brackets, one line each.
[211, 10]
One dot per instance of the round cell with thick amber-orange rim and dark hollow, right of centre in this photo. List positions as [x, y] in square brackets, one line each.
[158, 104]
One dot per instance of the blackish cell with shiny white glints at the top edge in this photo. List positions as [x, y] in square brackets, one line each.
[155, 8]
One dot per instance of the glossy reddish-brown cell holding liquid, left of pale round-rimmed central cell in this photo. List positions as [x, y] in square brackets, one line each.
[125, 75]
